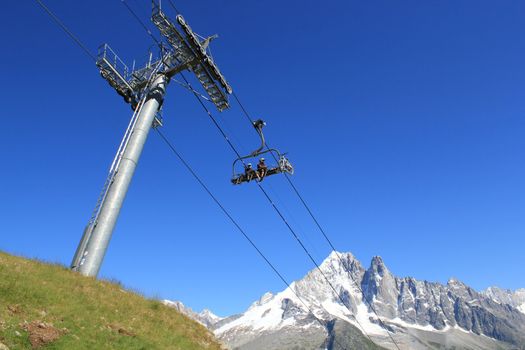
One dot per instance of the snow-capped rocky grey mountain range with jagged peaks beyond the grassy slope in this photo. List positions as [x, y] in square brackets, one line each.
[418, 314]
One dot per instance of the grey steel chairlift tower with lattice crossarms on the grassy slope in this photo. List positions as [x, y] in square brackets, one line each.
[144, 90]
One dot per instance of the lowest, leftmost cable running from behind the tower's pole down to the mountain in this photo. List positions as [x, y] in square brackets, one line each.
[237, 225]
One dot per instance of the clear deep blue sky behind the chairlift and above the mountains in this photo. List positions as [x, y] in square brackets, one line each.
[404, 120]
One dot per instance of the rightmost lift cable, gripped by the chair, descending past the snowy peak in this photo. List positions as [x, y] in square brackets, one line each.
[325, 235]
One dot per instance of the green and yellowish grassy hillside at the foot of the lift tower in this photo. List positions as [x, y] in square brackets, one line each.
[91, 314]
